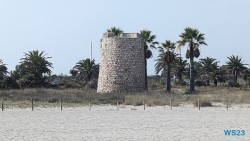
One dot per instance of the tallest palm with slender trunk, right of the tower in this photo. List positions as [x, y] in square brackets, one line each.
[193, 38]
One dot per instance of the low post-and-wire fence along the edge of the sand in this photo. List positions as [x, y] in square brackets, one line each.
[61, 104]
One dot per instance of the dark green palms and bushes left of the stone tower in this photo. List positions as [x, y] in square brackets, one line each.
[34, 71]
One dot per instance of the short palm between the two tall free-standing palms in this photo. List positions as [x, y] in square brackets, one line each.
[179, 68]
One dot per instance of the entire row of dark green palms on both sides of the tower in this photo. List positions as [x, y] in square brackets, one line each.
[34, 69]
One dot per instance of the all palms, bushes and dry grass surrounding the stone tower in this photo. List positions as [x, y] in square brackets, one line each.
[33, 77]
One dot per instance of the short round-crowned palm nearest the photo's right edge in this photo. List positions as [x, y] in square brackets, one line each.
[235, 66]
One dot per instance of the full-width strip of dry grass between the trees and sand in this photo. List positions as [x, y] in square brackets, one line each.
[81, 97]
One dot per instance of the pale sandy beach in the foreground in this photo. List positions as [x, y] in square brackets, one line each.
[108, 123]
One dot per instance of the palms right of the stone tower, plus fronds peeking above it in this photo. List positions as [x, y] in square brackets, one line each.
[170, 64]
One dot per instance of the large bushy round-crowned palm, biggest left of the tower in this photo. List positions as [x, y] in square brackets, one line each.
[34, 66]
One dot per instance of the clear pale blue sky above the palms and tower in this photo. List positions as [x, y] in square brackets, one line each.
[65, 28]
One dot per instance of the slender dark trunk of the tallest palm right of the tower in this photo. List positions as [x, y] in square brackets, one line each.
[192, 89]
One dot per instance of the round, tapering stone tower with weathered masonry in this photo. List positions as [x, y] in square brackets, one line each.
[122, 67]
